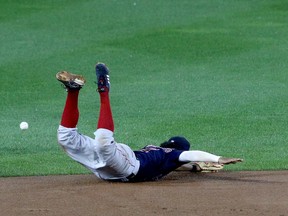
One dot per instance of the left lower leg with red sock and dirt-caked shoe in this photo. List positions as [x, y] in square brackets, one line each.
[73, 83]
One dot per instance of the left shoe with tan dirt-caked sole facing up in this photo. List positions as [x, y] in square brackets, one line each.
[71, 81]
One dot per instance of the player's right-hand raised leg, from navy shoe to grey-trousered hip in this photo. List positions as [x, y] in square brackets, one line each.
[120, 159]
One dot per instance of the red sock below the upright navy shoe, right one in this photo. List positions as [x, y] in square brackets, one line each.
[105, 117]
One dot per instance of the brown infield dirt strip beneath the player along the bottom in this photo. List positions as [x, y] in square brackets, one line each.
[180, 193]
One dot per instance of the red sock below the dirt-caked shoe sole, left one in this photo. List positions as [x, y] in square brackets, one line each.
[70, 114]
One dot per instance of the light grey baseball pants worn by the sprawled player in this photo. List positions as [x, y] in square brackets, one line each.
[107, 159]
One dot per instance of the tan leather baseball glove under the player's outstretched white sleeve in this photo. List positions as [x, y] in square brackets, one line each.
[201, 167]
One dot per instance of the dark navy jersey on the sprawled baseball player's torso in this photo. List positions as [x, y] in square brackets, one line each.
[156, 162]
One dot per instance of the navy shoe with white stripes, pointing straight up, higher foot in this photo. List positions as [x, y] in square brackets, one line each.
[102, 74]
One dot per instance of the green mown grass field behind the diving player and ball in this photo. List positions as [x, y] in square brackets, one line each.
[214, 71]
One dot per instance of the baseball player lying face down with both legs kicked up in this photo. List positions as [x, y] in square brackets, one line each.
[113, 161]
